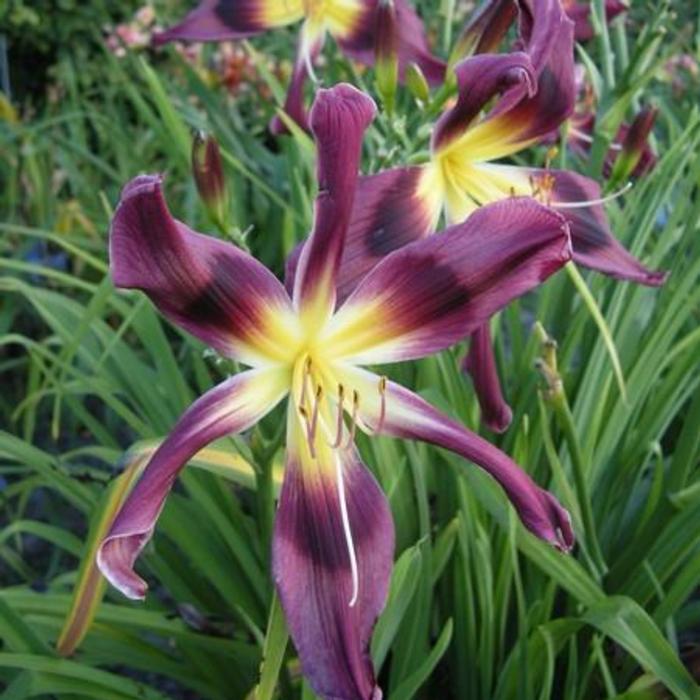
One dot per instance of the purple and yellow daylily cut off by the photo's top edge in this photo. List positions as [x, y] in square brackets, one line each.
[352, 23]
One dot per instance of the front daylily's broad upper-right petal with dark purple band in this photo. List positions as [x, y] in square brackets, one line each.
[430, 294]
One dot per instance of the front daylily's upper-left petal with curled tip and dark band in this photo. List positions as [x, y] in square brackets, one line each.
[210, 288]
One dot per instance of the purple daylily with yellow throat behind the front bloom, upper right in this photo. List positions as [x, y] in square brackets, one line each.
[534, 93]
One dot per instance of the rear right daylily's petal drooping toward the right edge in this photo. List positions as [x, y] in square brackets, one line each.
[593, 242]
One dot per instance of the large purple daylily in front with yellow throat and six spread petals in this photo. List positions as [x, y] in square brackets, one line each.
[333, 537]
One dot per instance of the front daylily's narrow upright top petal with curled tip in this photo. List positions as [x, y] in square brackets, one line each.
[339, 117]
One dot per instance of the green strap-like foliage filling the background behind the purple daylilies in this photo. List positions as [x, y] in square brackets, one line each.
[92, 379]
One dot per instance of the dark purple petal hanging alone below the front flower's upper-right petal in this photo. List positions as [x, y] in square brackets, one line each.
[480, 363]
